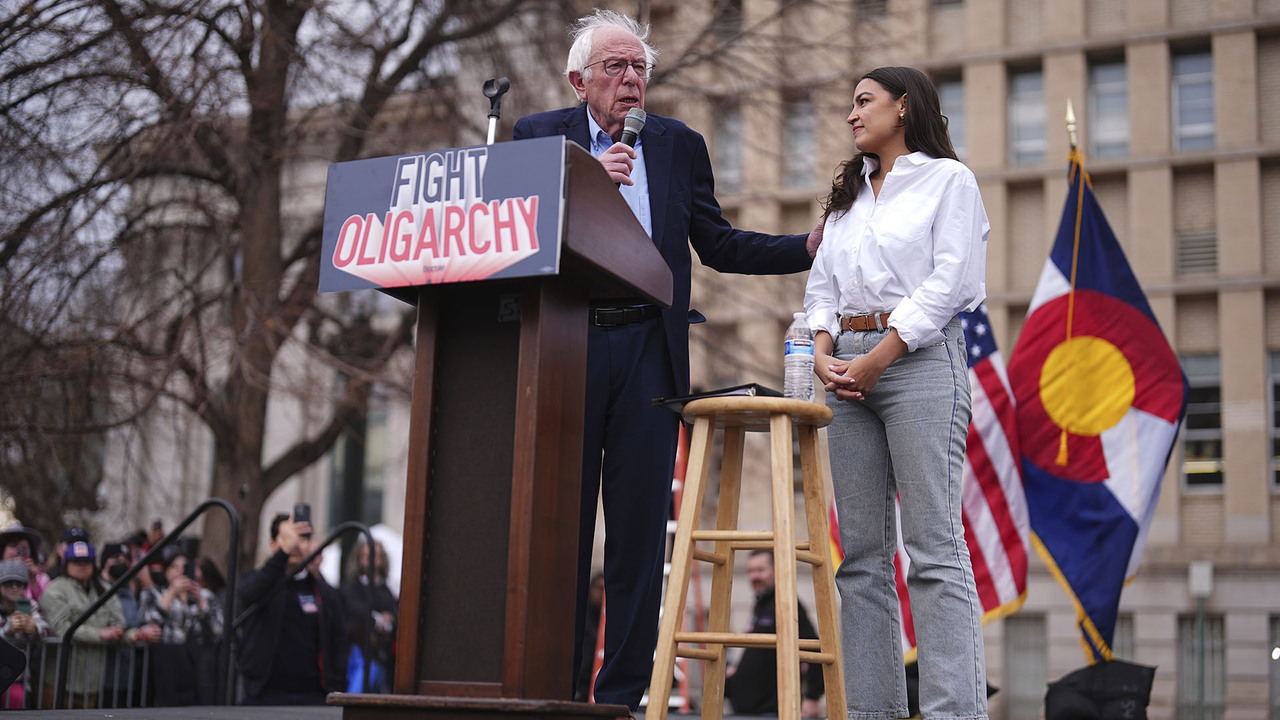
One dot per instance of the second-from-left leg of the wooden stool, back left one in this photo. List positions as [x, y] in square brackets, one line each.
[723, 576]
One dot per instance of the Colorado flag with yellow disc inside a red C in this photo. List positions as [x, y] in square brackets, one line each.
[1100, 398]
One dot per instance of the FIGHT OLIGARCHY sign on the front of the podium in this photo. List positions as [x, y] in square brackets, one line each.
[445, 217]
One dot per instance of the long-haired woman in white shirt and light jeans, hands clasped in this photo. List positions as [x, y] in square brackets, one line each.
[904, 253]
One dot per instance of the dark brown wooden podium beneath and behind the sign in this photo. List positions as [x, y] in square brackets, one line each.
[496, 443]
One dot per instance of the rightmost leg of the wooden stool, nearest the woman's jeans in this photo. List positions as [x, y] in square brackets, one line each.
[824, 576]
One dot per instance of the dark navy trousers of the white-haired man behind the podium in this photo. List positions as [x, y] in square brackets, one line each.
[627, 368]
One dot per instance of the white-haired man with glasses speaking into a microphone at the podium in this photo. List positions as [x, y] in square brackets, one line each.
[639, 352]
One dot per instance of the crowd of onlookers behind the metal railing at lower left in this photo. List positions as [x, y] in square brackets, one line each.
[303, 641]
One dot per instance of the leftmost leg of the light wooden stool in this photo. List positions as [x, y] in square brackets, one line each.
[682, 555]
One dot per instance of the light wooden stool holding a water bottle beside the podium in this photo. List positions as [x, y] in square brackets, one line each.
[739, 416]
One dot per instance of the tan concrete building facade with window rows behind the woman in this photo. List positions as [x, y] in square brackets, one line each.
[1182, 134]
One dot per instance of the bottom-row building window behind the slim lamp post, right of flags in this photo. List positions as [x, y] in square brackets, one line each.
[1201, 664]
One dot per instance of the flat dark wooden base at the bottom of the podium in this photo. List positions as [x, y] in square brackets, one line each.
[417, 708]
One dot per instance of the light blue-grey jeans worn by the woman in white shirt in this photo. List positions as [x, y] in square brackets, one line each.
[907, 439]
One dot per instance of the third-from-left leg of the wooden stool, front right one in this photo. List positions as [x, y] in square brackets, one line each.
[785, 568]
